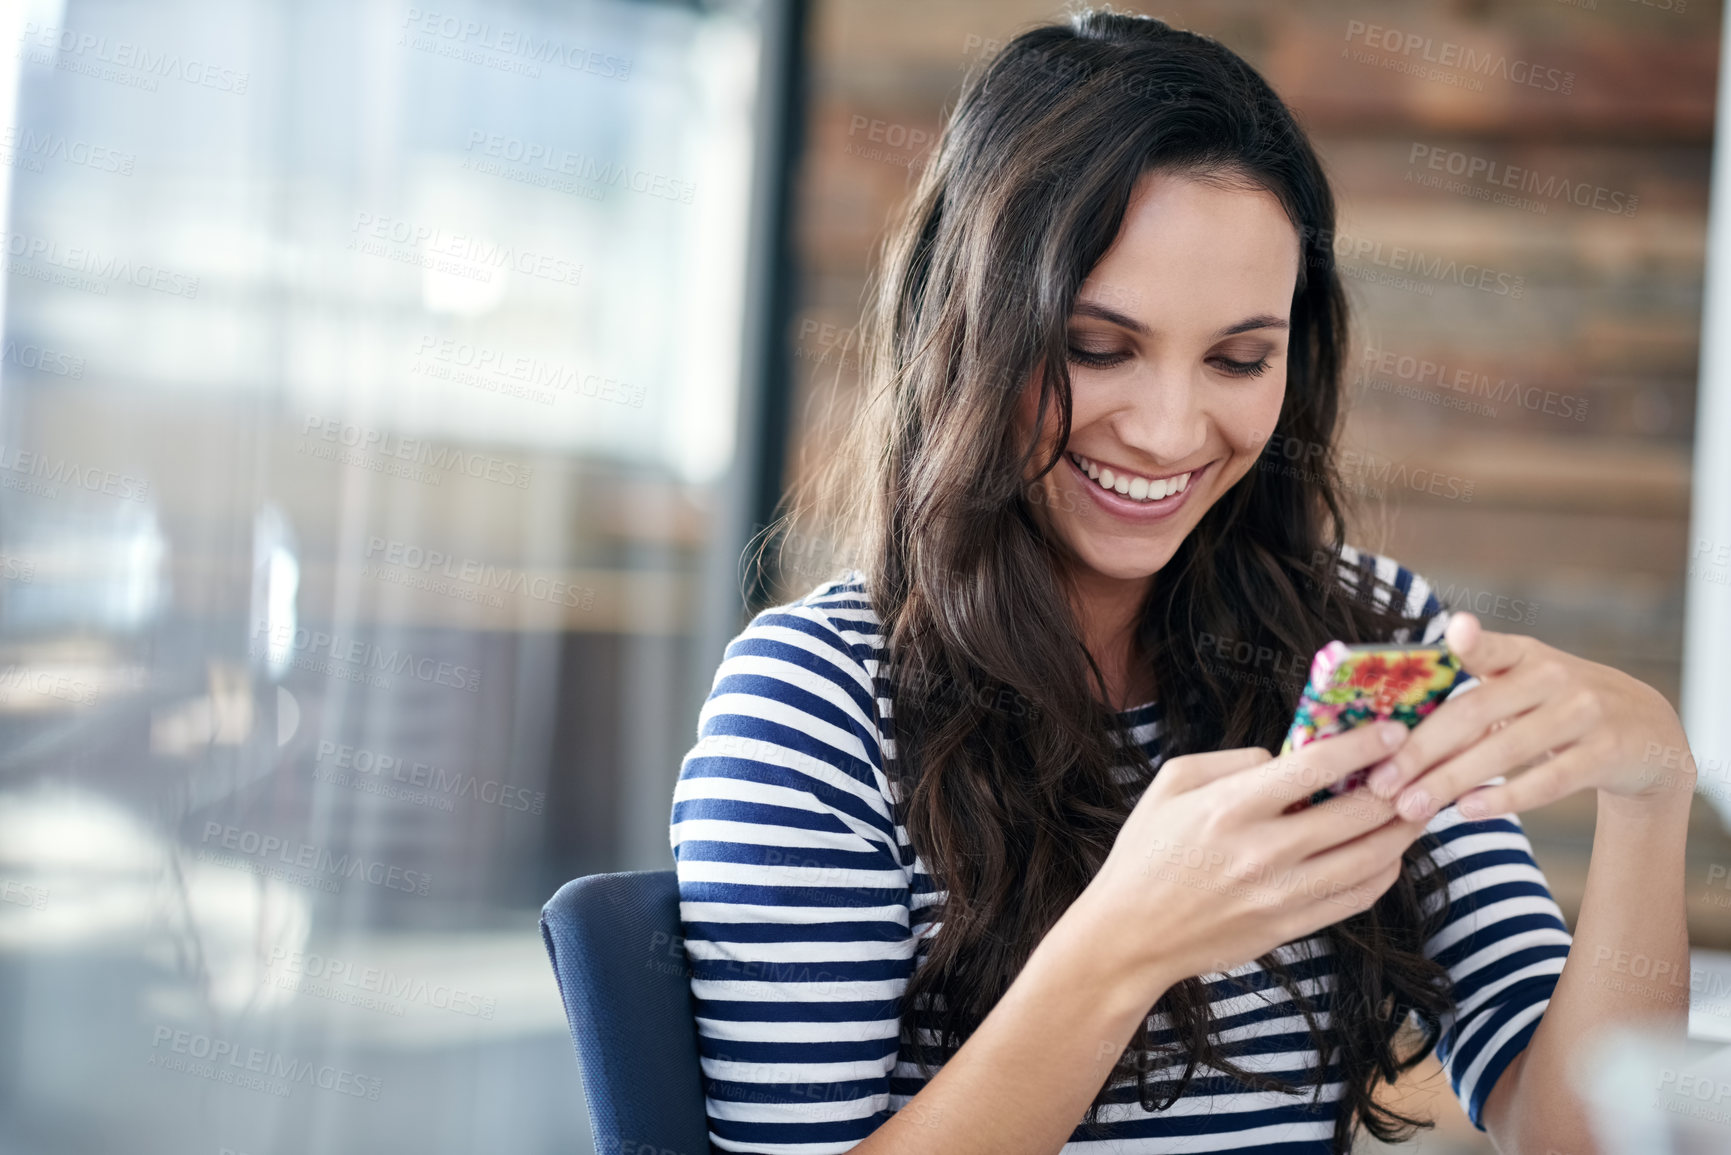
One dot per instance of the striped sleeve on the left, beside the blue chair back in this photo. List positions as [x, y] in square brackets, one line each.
[792, 893]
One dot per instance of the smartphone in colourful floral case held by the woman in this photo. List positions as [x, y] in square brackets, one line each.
[1368, 683]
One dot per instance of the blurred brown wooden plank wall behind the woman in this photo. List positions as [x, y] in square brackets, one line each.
[1557, 380]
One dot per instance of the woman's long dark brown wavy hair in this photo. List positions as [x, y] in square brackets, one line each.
[1005, 745]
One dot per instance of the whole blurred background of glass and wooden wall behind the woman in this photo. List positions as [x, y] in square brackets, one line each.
[390, 394]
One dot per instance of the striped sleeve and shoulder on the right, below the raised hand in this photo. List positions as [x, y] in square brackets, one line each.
[1505, 939]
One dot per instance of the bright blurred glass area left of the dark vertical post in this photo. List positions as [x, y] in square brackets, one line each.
[370, 397]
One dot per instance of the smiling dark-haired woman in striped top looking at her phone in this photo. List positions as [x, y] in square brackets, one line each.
[1010, 865]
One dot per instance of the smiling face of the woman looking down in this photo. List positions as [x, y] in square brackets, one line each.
[1178, 368]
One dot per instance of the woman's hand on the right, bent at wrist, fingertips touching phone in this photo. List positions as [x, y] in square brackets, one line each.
[1578, 725]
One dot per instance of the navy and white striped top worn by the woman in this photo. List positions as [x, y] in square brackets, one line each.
[802, 907]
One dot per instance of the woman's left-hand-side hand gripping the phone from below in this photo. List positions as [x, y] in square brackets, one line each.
[1209, 872]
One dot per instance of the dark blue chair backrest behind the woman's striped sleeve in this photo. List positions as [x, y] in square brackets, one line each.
[617, 950]
